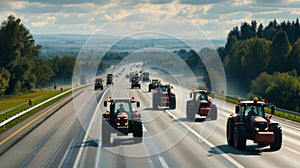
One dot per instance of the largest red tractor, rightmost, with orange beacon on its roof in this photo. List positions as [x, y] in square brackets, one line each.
[250, 122]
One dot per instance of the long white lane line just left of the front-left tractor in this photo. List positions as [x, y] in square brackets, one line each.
[87, 134]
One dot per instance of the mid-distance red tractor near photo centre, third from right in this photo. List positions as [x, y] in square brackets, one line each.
[164, 97]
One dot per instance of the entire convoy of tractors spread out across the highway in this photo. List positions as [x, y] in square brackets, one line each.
[249, 122]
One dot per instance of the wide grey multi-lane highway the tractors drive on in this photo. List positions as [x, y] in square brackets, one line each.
[68, 134]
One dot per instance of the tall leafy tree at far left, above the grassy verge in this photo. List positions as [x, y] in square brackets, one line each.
[18, 54]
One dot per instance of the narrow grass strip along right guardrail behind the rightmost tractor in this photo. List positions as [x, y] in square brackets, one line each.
[277, 112]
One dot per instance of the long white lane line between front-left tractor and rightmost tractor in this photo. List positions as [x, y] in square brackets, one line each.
[237, 164]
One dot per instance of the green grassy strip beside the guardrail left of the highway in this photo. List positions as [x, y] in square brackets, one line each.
[38, 96]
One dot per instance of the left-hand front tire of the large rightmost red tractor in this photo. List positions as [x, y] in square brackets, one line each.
[240, 137]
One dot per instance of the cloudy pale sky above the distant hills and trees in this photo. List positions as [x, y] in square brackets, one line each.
[214, 18]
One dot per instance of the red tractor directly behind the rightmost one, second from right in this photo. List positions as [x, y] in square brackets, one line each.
[200, 104]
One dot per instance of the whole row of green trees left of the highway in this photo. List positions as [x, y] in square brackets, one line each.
[21, 68]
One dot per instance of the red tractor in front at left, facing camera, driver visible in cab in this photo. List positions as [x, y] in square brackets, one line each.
[122, 119]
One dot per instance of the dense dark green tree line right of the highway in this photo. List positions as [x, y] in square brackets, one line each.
[265, 62]
